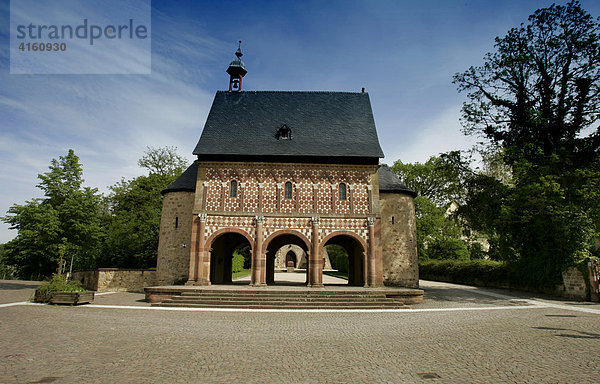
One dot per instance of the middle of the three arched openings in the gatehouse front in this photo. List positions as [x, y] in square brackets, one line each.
[293, 243]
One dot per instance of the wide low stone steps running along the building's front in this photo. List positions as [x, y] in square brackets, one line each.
[291, 299]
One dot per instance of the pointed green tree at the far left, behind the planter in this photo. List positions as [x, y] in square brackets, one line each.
[68, 211]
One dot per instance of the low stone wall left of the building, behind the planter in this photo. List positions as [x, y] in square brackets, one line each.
[116, 279]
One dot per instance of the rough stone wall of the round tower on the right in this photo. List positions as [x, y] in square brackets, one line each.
[399, 240]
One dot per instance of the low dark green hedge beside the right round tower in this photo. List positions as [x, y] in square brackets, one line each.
[486, 273]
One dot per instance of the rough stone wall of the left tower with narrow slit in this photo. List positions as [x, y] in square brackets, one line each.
[175, 236]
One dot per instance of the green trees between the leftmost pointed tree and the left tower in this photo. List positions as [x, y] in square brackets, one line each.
[135, 207]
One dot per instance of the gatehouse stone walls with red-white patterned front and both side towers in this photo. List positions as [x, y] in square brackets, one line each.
[321, 204]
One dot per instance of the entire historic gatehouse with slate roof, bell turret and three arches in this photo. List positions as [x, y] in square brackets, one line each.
[279, 169]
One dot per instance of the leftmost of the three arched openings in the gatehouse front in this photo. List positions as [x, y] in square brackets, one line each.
[229, 253]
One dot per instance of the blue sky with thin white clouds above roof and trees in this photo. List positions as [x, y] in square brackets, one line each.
[403, 52]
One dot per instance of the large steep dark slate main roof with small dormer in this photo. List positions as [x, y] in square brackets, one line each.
[323, 125]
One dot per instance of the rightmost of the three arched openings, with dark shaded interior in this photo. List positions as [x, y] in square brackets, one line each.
[347, 256]
